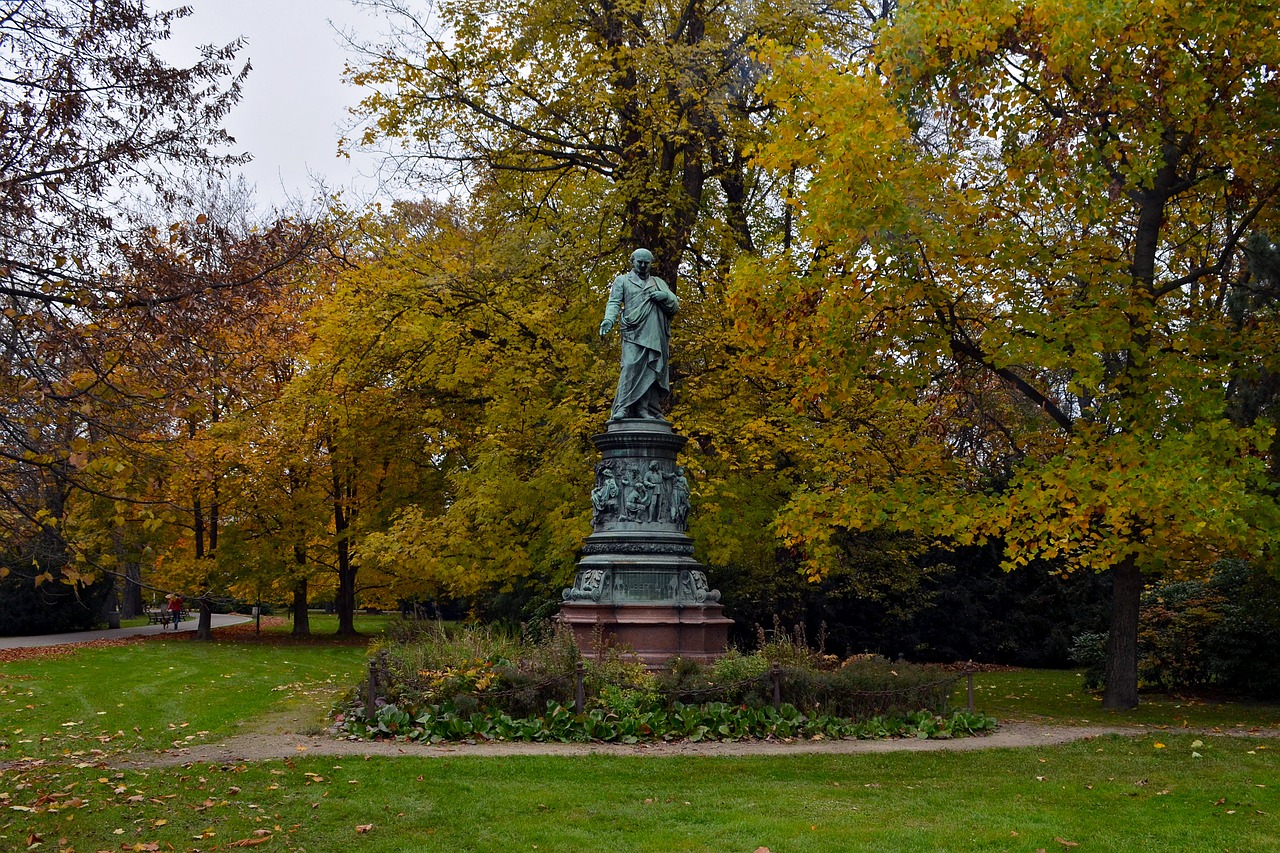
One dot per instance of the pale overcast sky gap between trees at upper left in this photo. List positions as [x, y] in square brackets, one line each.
[295, 104]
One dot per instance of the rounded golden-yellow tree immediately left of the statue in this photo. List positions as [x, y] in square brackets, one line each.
[450, 362]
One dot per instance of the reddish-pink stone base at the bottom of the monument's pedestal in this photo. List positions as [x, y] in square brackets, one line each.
[656, 633]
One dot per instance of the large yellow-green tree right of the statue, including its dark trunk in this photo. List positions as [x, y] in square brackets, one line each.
[1008, 318]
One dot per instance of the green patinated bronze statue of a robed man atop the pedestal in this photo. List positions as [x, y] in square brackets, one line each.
[646, 305]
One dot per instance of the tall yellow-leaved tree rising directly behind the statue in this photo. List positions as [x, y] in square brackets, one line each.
[580, 131]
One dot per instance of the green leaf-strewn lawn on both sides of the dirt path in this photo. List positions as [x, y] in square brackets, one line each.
[1117, 793]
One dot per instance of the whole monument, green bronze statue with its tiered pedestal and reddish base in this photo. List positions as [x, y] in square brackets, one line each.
[638, 583]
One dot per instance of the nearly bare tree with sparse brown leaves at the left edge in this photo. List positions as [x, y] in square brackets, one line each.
[92, 125]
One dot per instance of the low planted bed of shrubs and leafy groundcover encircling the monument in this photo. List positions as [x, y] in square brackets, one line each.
[433, 683]
